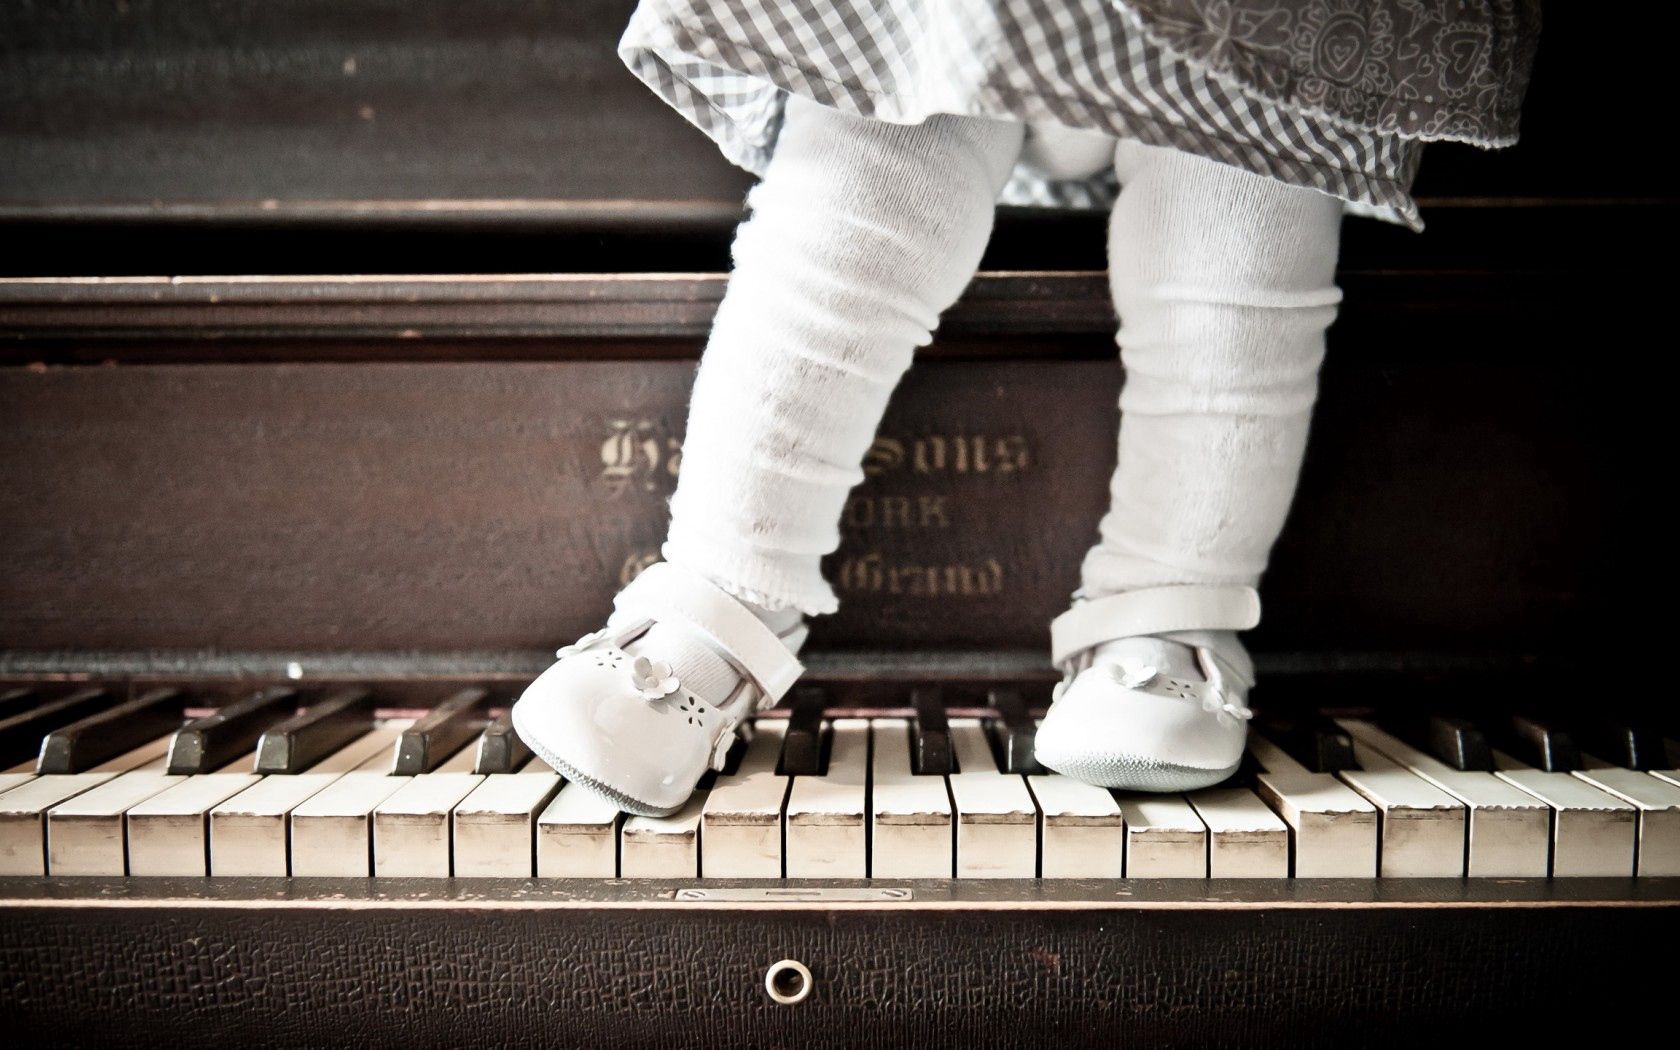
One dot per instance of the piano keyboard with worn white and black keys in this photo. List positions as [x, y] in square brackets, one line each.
[260, 789]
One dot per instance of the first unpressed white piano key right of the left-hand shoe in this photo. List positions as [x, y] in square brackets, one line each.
[742, 821]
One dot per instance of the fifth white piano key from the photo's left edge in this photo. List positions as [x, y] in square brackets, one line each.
[332, 832]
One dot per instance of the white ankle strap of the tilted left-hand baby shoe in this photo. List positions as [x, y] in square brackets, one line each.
[671, 592]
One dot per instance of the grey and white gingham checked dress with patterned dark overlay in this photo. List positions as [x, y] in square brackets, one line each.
[1331, 95]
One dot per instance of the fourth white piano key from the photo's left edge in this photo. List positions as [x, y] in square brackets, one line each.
[249, 832]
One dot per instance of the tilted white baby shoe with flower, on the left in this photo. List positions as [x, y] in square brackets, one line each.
[626, 727]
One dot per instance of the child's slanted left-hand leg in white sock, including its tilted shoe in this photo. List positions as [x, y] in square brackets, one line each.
[861, 234]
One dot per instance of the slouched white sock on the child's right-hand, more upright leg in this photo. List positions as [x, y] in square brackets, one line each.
[1226, 283]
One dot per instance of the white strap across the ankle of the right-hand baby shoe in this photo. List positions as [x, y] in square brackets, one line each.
[1152, 612]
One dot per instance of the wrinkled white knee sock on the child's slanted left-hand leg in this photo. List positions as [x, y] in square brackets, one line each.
[859, 236]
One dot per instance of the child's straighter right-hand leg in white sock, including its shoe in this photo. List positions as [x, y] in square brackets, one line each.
[1224, 283]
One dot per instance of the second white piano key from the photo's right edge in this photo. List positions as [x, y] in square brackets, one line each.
[1593, 832]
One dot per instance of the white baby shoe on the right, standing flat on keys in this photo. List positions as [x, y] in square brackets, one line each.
[1155, 688]
